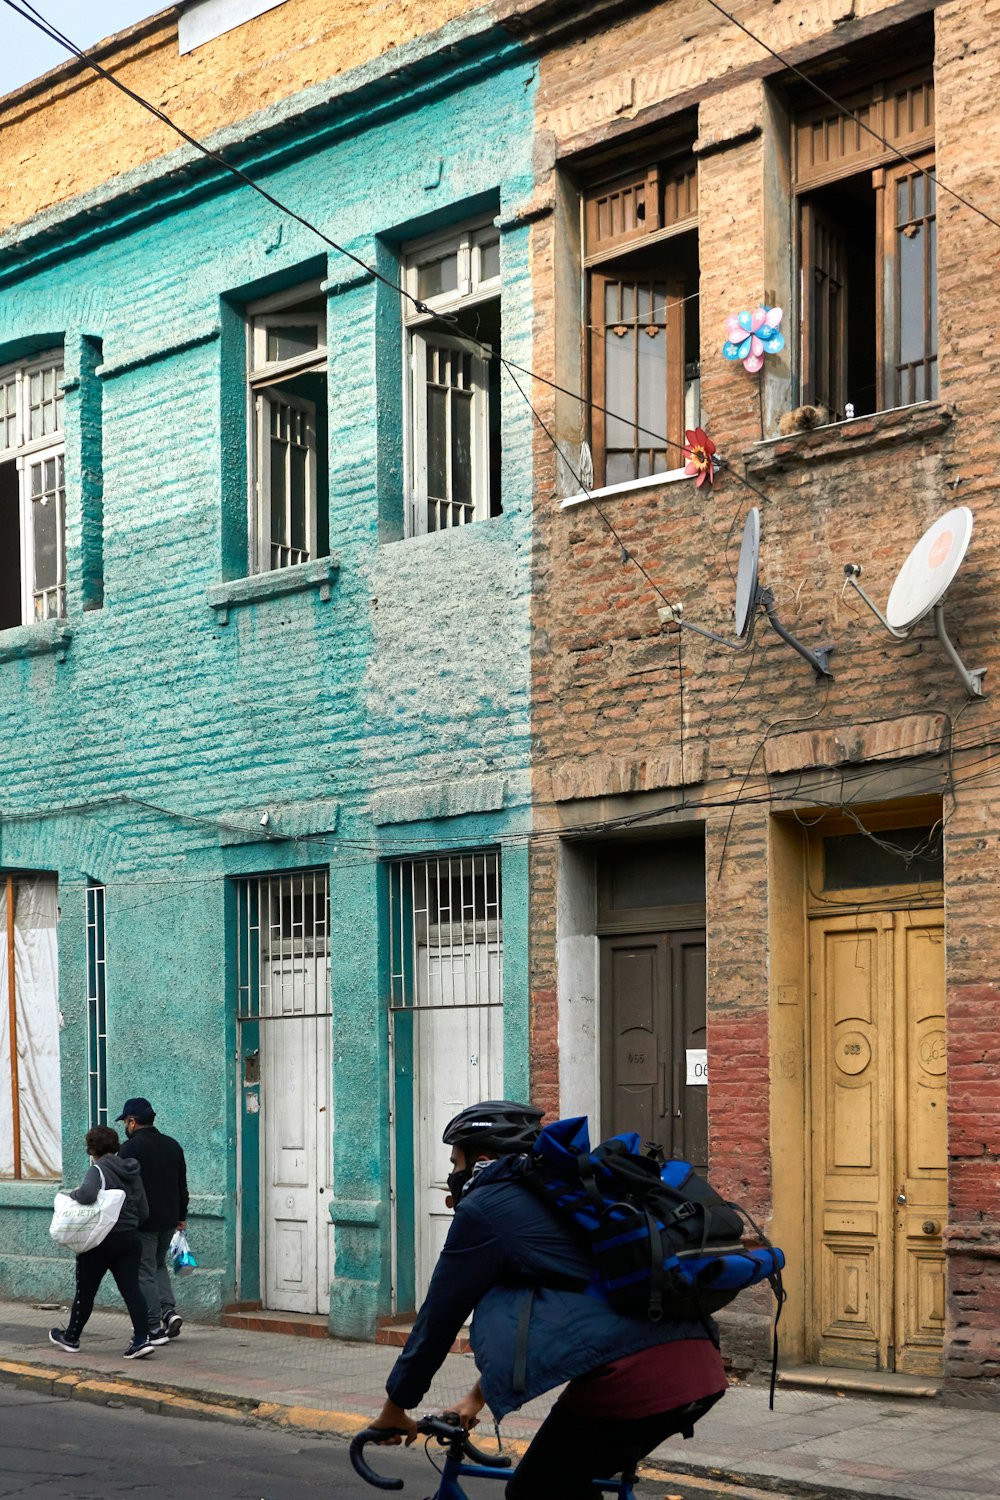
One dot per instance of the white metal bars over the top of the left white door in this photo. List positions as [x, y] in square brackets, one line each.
[284, 946]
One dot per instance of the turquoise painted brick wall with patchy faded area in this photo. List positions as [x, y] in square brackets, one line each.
[391, 719]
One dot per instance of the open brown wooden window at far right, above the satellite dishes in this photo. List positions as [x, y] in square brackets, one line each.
[867, 248]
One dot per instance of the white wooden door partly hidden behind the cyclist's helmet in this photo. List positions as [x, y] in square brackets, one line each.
[460, 1058]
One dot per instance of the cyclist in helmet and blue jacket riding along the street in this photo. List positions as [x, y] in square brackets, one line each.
[516, 1265]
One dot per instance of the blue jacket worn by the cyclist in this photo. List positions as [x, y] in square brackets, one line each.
[509, 1256]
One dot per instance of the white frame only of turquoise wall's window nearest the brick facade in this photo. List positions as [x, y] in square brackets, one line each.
[467, 242]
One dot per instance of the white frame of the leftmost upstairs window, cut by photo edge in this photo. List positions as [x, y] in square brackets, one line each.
[25, 454]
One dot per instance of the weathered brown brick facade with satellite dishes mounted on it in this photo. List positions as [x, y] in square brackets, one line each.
[630, 721]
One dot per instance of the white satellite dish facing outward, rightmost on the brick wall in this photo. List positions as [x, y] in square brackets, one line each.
[921, 587]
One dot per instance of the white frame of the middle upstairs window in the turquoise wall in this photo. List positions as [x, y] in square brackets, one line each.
[265, 389]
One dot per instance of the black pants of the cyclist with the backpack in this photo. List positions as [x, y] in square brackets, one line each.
[570, 1450]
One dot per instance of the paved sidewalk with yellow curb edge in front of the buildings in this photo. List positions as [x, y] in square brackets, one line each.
[813, 1444]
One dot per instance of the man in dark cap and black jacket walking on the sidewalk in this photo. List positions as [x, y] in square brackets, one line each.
[166, 1181]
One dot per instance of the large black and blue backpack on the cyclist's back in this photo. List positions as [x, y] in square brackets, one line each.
[662, 1238]
